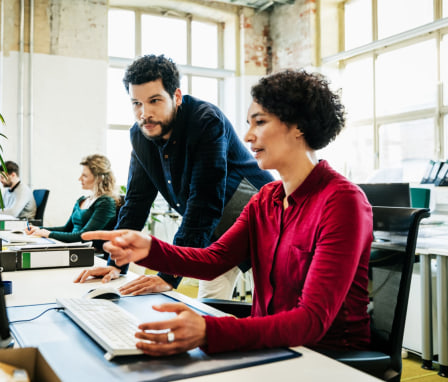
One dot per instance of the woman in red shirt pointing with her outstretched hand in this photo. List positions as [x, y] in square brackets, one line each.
[307, 235]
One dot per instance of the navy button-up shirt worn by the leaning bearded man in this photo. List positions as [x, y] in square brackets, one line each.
[197, 171]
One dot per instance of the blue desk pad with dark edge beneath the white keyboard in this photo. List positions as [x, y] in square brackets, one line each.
[61, 341]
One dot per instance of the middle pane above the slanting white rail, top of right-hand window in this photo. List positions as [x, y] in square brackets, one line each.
[395, 16]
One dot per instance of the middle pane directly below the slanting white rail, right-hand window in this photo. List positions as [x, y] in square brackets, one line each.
[406, 87]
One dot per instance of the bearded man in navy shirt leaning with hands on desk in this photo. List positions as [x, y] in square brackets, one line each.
[187, 150]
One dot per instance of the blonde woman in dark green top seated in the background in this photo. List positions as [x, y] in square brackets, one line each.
[93, 212]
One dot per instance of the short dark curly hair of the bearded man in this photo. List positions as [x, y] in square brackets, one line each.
[150, 68]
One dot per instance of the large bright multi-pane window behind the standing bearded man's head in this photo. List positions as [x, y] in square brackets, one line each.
[195, 45]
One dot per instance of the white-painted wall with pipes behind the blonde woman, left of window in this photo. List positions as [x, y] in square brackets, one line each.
[69, 103]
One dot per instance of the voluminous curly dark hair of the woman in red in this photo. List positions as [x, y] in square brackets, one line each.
[298, 97]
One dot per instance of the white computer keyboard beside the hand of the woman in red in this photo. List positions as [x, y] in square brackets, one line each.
[112, 327]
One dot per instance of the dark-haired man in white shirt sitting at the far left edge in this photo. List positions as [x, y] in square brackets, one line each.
[17, 197]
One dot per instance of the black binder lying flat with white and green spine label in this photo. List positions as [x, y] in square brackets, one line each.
[54, 258]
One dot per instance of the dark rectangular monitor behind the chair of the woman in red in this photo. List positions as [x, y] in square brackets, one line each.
[387, 194]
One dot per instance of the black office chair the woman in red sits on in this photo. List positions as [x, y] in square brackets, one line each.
[391, 281]
